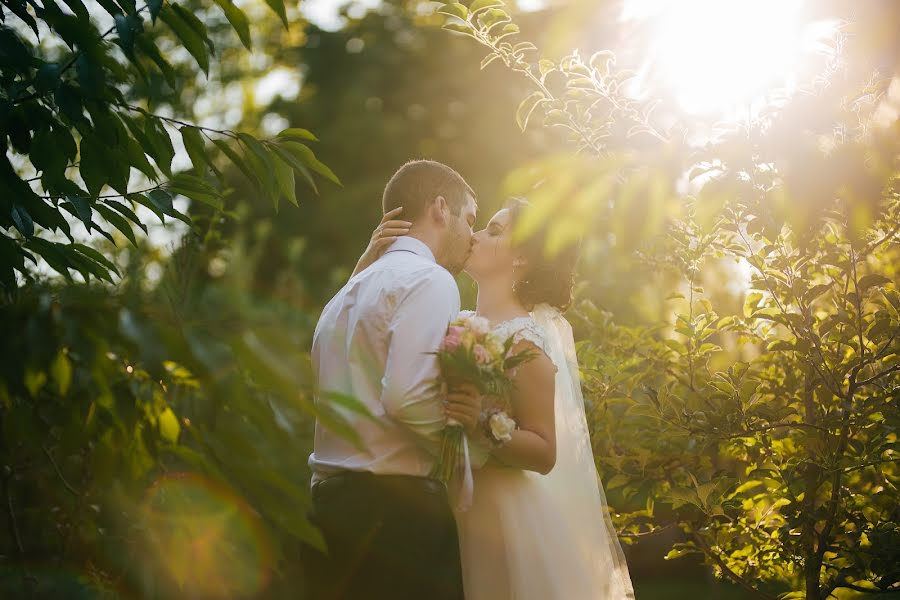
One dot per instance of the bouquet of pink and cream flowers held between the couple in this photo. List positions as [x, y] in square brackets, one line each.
[471, 354]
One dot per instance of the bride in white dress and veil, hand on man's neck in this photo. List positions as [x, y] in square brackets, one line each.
[538, 526]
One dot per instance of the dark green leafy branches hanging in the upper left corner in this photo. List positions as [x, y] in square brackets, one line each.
[69, 130]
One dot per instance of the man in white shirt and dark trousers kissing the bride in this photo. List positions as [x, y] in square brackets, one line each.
[389, 528]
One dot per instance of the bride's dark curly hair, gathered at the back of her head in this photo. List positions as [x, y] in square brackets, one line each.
[547, 279]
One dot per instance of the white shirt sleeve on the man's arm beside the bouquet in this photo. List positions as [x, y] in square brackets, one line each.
[417, 328]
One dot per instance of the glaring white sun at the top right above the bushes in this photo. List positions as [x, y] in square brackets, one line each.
[720, 56]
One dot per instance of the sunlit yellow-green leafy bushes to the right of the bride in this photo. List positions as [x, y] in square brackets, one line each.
[764, 429]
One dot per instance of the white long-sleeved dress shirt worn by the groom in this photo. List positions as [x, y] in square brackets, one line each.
[371, 343]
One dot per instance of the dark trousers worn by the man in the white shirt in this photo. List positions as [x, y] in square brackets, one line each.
[388, 536]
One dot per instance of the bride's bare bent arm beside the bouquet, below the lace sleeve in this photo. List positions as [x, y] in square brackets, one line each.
[533, 444]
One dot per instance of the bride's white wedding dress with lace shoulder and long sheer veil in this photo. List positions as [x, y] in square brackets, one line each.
[528, 536]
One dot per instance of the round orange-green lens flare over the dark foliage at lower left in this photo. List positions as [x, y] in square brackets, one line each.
[205, 538]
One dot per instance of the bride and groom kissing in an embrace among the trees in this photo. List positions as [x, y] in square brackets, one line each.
[537, 526]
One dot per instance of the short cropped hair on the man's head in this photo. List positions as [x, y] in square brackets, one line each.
[418, 182]
